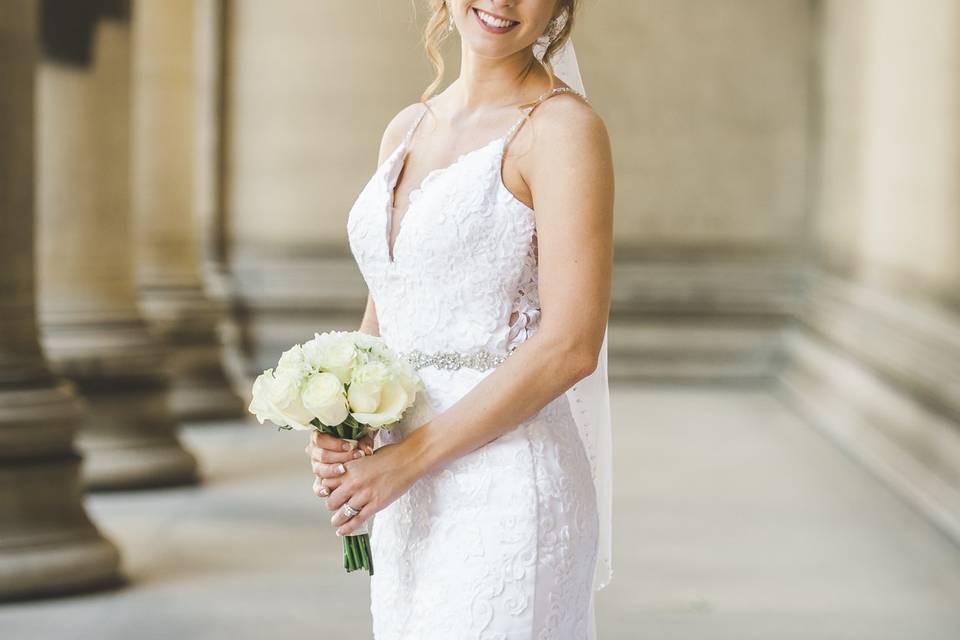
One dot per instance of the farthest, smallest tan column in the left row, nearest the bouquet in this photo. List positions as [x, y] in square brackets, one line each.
[167, 229]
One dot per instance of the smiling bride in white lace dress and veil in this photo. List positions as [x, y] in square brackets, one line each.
[485, 240]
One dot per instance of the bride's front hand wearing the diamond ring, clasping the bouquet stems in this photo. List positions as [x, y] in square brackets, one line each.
[370, 484]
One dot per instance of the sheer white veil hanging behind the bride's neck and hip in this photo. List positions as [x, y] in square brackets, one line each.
[590, 398]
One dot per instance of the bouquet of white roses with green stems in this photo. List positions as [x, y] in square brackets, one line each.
[345, 383]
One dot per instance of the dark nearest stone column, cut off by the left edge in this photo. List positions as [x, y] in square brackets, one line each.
[47, 543]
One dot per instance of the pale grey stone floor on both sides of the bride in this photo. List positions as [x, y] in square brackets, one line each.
[734, 520]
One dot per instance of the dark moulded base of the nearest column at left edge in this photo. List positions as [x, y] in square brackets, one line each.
[48, 545]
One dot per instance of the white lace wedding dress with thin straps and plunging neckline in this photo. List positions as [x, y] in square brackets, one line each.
[500, 544]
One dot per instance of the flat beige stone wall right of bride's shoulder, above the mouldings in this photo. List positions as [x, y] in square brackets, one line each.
[708, 104]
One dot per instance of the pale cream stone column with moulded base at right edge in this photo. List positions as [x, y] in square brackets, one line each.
[875, 362]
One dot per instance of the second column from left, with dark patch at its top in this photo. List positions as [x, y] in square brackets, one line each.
[93, 329]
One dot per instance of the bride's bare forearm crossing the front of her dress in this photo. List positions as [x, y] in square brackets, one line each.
[516, 390]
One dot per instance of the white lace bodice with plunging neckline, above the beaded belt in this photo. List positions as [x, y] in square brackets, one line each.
[463, 271]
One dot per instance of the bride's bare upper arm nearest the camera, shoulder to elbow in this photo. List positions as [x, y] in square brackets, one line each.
[569, 170]
